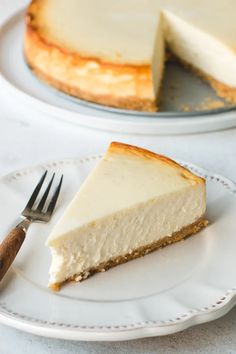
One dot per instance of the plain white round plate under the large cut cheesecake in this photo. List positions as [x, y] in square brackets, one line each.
[187, 91]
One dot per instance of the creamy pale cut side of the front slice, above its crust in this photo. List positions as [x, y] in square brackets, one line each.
[125, 231]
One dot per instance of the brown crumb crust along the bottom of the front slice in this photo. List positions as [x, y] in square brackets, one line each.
[139, 252]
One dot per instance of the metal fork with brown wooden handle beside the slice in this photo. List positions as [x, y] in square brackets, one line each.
[14, 240]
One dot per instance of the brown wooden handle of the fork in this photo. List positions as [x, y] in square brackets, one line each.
[9, 248]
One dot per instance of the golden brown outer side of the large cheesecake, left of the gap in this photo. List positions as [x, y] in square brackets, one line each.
[45, 59]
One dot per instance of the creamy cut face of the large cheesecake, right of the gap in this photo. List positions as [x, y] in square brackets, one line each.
[200, 49]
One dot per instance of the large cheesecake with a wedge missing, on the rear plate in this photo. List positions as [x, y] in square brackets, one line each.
[113, 52]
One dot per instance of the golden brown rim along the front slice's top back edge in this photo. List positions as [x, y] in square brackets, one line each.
[122, 148]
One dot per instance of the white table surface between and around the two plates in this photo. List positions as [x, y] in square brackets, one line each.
[27, 138]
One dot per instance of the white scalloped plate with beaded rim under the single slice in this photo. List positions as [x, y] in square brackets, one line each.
[167, 291]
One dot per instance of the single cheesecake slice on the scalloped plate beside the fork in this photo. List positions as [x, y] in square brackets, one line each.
[132, 203]
